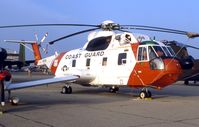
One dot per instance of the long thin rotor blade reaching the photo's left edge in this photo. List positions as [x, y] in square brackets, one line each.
[33, 25]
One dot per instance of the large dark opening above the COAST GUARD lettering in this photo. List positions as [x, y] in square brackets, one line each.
[100, 43]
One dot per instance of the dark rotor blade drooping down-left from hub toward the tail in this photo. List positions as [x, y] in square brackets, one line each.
[73, 34]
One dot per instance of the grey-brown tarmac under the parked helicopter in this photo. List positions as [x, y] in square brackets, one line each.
[176, 105]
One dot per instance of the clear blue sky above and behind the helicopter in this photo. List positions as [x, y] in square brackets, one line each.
[175, 14]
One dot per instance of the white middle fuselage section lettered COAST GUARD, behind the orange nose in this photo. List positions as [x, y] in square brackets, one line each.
[111, 65]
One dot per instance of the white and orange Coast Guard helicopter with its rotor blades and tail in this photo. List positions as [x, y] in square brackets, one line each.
[112, 57]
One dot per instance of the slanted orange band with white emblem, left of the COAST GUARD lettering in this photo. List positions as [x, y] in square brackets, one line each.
[56, 62]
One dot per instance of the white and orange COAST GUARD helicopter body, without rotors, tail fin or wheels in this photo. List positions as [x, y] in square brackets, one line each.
[112, 60]
